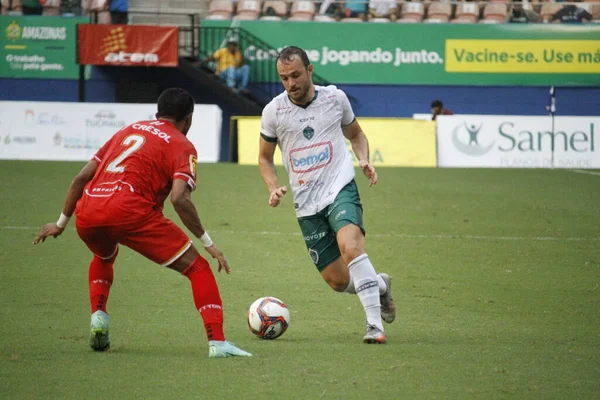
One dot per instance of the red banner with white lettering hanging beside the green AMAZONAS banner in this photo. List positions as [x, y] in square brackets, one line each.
[128, 45]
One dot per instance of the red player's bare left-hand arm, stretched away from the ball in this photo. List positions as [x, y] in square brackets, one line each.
[73, 195]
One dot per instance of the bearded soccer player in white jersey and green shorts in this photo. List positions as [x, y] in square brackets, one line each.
[309, 124]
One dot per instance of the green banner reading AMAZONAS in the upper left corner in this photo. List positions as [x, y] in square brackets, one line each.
[39, 47]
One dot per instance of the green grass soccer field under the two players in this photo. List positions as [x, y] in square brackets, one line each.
[496, 279]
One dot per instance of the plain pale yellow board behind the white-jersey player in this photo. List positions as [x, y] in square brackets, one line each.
[392, 142]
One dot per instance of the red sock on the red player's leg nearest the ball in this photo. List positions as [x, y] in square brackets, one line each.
[206, 297]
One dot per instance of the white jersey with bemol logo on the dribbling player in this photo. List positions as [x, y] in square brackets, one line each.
[312, 145]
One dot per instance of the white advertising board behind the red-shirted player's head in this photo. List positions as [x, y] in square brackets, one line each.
[75, 131]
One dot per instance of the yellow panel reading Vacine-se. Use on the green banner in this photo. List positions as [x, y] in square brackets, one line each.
[526, 56]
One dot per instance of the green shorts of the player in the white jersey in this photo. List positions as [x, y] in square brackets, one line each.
[320, 230]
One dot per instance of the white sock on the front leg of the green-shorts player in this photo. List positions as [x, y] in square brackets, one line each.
[367, 288]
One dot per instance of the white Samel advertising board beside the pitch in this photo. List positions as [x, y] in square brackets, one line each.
[506, 141]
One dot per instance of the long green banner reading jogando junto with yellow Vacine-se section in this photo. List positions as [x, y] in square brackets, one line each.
[440, 54]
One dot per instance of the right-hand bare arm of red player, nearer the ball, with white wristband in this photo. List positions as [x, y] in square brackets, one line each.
[181, 198]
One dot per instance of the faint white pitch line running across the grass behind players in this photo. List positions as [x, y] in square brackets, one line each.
[384, 235]
